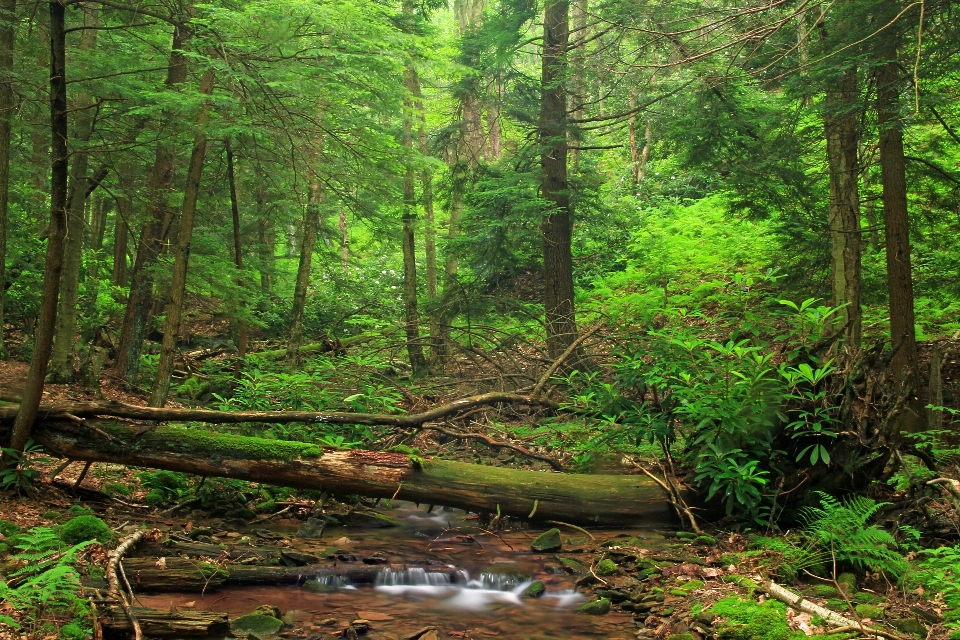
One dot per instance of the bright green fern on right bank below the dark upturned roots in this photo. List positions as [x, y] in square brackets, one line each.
[842, 529]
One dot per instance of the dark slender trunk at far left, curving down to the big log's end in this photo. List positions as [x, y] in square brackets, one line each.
[59, 169]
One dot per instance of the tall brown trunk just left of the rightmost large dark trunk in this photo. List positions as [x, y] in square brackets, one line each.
[841, 125]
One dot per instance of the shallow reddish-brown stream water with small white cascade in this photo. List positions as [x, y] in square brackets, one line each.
[481, 598]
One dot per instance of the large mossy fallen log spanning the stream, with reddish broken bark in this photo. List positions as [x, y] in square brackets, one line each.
[577, 499]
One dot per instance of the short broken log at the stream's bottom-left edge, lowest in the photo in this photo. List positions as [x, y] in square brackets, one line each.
[166, 624]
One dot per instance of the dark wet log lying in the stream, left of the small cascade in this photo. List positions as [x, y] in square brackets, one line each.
[191, 576]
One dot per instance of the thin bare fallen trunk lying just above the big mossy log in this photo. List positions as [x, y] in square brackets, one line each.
[121, 410]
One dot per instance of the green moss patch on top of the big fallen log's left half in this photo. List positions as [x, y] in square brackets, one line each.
[213, 445]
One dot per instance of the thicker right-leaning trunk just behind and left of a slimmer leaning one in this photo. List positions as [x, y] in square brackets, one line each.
[140, 301]
